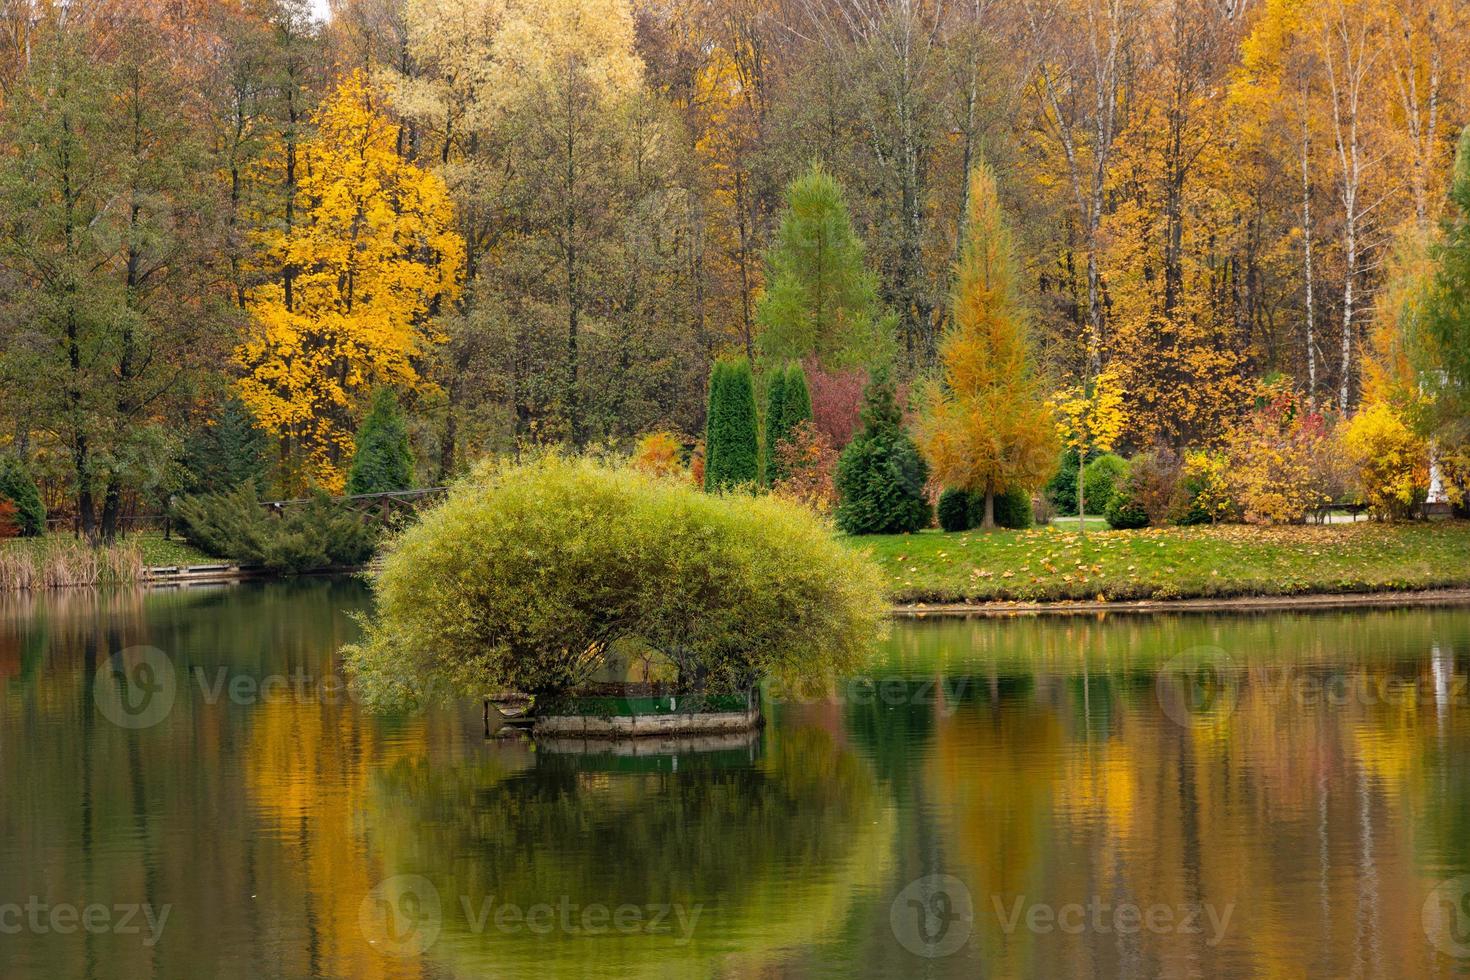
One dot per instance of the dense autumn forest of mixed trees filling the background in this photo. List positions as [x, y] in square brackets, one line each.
[543, 221]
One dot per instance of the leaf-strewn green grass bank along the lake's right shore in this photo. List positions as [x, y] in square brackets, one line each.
[1058, 563]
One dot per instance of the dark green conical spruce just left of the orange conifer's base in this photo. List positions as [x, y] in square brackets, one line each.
[881, 477]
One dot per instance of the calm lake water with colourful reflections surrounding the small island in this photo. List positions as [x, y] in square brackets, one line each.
[186, 791]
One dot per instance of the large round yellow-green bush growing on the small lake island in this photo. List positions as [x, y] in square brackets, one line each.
[528, 574]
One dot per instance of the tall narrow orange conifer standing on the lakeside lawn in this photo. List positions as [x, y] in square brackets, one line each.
[987, 427]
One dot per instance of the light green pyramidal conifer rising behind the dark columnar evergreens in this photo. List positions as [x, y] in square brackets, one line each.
[821, 300]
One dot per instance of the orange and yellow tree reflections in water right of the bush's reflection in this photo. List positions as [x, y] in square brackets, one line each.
[1324, 797]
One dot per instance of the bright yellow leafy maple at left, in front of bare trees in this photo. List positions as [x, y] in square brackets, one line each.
[349, 292]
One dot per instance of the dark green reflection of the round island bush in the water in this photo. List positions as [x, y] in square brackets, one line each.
[772, 853]
